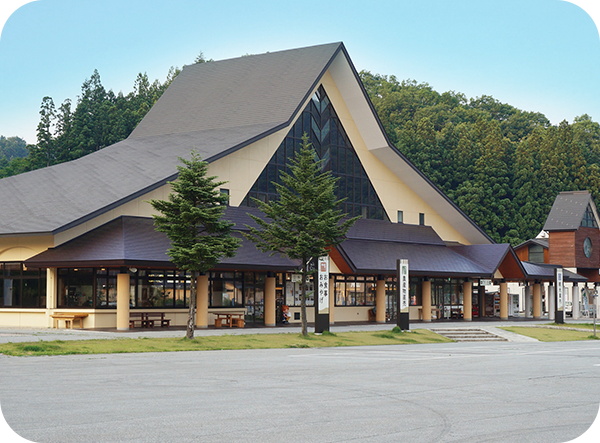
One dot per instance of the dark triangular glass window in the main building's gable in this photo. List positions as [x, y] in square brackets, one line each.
[333, 147]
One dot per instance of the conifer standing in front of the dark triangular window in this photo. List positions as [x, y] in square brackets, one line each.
[305, 221]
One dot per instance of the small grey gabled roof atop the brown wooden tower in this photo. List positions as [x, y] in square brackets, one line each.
[568, 210]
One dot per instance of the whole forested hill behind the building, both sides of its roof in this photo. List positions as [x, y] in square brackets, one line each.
[501, 165]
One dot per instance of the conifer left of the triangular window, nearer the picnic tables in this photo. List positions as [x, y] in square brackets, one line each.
[192, 218]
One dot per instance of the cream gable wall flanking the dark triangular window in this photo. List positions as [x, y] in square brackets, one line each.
[242, 168]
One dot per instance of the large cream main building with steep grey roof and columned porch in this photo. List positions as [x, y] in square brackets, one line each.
[79, 237]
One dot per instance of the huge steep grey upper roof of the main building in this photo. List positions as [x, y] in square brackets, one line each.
[215, 108]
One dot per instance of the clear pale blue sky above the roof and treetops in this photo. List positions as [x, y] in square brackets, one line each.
[541, 56]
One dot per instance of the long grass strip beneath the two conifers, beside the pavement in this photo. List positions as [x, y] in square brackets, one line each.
[248, 341]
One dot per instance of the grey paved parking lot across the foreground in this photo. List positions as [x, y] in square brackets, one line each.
[455, 392]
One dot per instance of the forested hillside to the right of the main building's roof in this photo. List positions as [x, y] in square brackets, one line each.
[501, 165]
